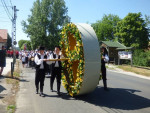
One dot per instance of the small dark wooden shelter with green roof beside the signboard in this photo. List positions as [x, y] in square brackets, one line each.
[113, 48]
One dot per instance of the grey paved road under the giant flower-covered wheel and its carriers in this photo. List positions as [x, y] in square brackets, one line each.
[127, 94]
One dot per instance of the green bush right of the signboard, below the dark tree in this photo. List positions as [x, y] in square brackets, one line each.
[141, 58]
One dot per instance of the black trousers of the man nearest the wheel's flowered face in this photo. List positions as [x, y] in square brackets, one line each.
[56, 73]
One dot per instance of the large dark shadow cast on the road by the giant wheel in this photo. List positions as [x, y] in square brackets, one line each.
[117, 98]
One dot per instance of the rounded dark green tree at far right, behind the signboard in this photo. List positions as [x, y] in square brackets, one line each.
[132, 31]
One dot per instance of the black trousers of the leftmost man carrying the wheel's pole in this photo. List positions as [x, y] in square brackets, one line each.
[39, 78]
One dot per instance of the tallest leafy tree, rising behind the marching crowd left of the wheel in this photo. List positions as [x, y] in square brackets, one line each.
[45, 22]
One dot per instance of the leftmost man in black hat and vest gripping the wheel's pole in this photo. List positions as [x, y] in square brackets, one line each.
[40, 61]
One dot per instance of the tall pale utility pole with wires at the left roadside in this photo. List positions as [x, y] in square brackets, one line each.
[14, 39]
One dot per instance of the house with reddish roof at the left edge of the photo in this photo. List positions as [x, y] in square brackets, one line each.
[3, 37]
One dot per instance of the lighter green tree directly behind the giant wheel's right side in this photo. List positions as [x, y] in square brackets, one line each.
[105, 28]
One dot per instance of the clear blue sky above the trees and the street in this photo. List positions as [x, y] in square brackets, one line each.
[80, 11]
